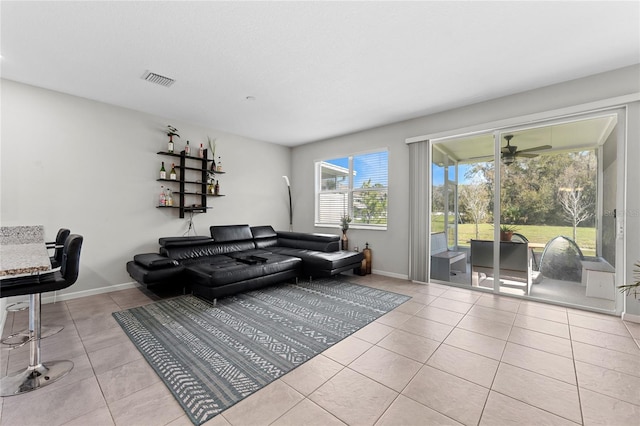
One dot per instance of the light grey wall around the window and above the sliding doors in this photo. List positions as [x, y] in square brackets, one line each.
[390, 248]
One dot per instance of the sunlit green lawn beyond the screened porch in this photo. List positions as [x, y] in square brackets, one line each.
[542, 234]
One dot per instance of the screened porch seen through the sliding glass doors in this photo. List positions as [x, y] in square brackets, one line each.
[552, 188]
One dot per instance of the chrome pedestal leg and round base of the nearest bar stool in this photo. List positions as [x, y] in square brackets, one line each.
[37, 374]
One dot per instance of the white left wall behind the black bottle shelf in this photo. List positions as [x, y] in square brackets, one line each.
[92, 167]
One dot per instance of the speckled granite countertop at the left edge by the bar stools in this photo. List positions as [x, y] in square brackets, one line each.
[23, 250]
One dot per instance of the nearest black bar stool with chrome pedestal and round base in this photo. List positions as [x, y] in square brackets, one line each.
[39, 374]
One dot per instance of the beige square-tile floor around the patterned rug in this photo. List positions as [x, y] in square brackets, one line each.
[448, 356]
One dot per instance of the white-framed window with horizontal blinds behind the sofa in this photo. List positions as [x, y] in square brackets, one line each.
[354, 186]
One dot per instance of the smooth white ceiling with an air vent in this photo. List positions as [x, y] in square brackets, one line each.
[315, 69]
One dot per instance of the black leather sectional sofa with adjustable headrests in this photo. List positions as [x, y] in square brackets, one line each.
[239, 258]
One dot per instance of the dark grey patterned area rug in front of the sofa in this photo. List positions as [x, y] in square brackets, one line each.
[211, 357]
